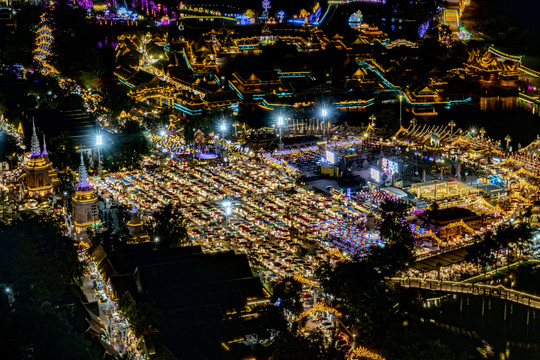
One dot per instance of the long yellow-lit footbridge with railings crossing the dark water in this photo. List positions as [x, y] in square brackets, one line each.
[453, 287]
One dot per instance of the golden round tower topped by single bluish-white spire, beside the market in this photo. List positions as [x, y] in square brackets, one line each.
[85, 204]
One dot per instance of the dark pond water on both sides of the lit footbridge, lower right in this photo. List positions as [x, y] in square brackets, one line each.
[504, 327]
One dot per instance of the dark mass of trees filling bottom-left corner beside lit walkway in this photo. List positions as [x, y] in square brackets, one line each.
[38, 264]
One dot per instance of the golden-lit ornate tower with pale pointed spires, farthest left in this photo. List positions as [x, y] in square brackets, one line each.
[39, 177]
